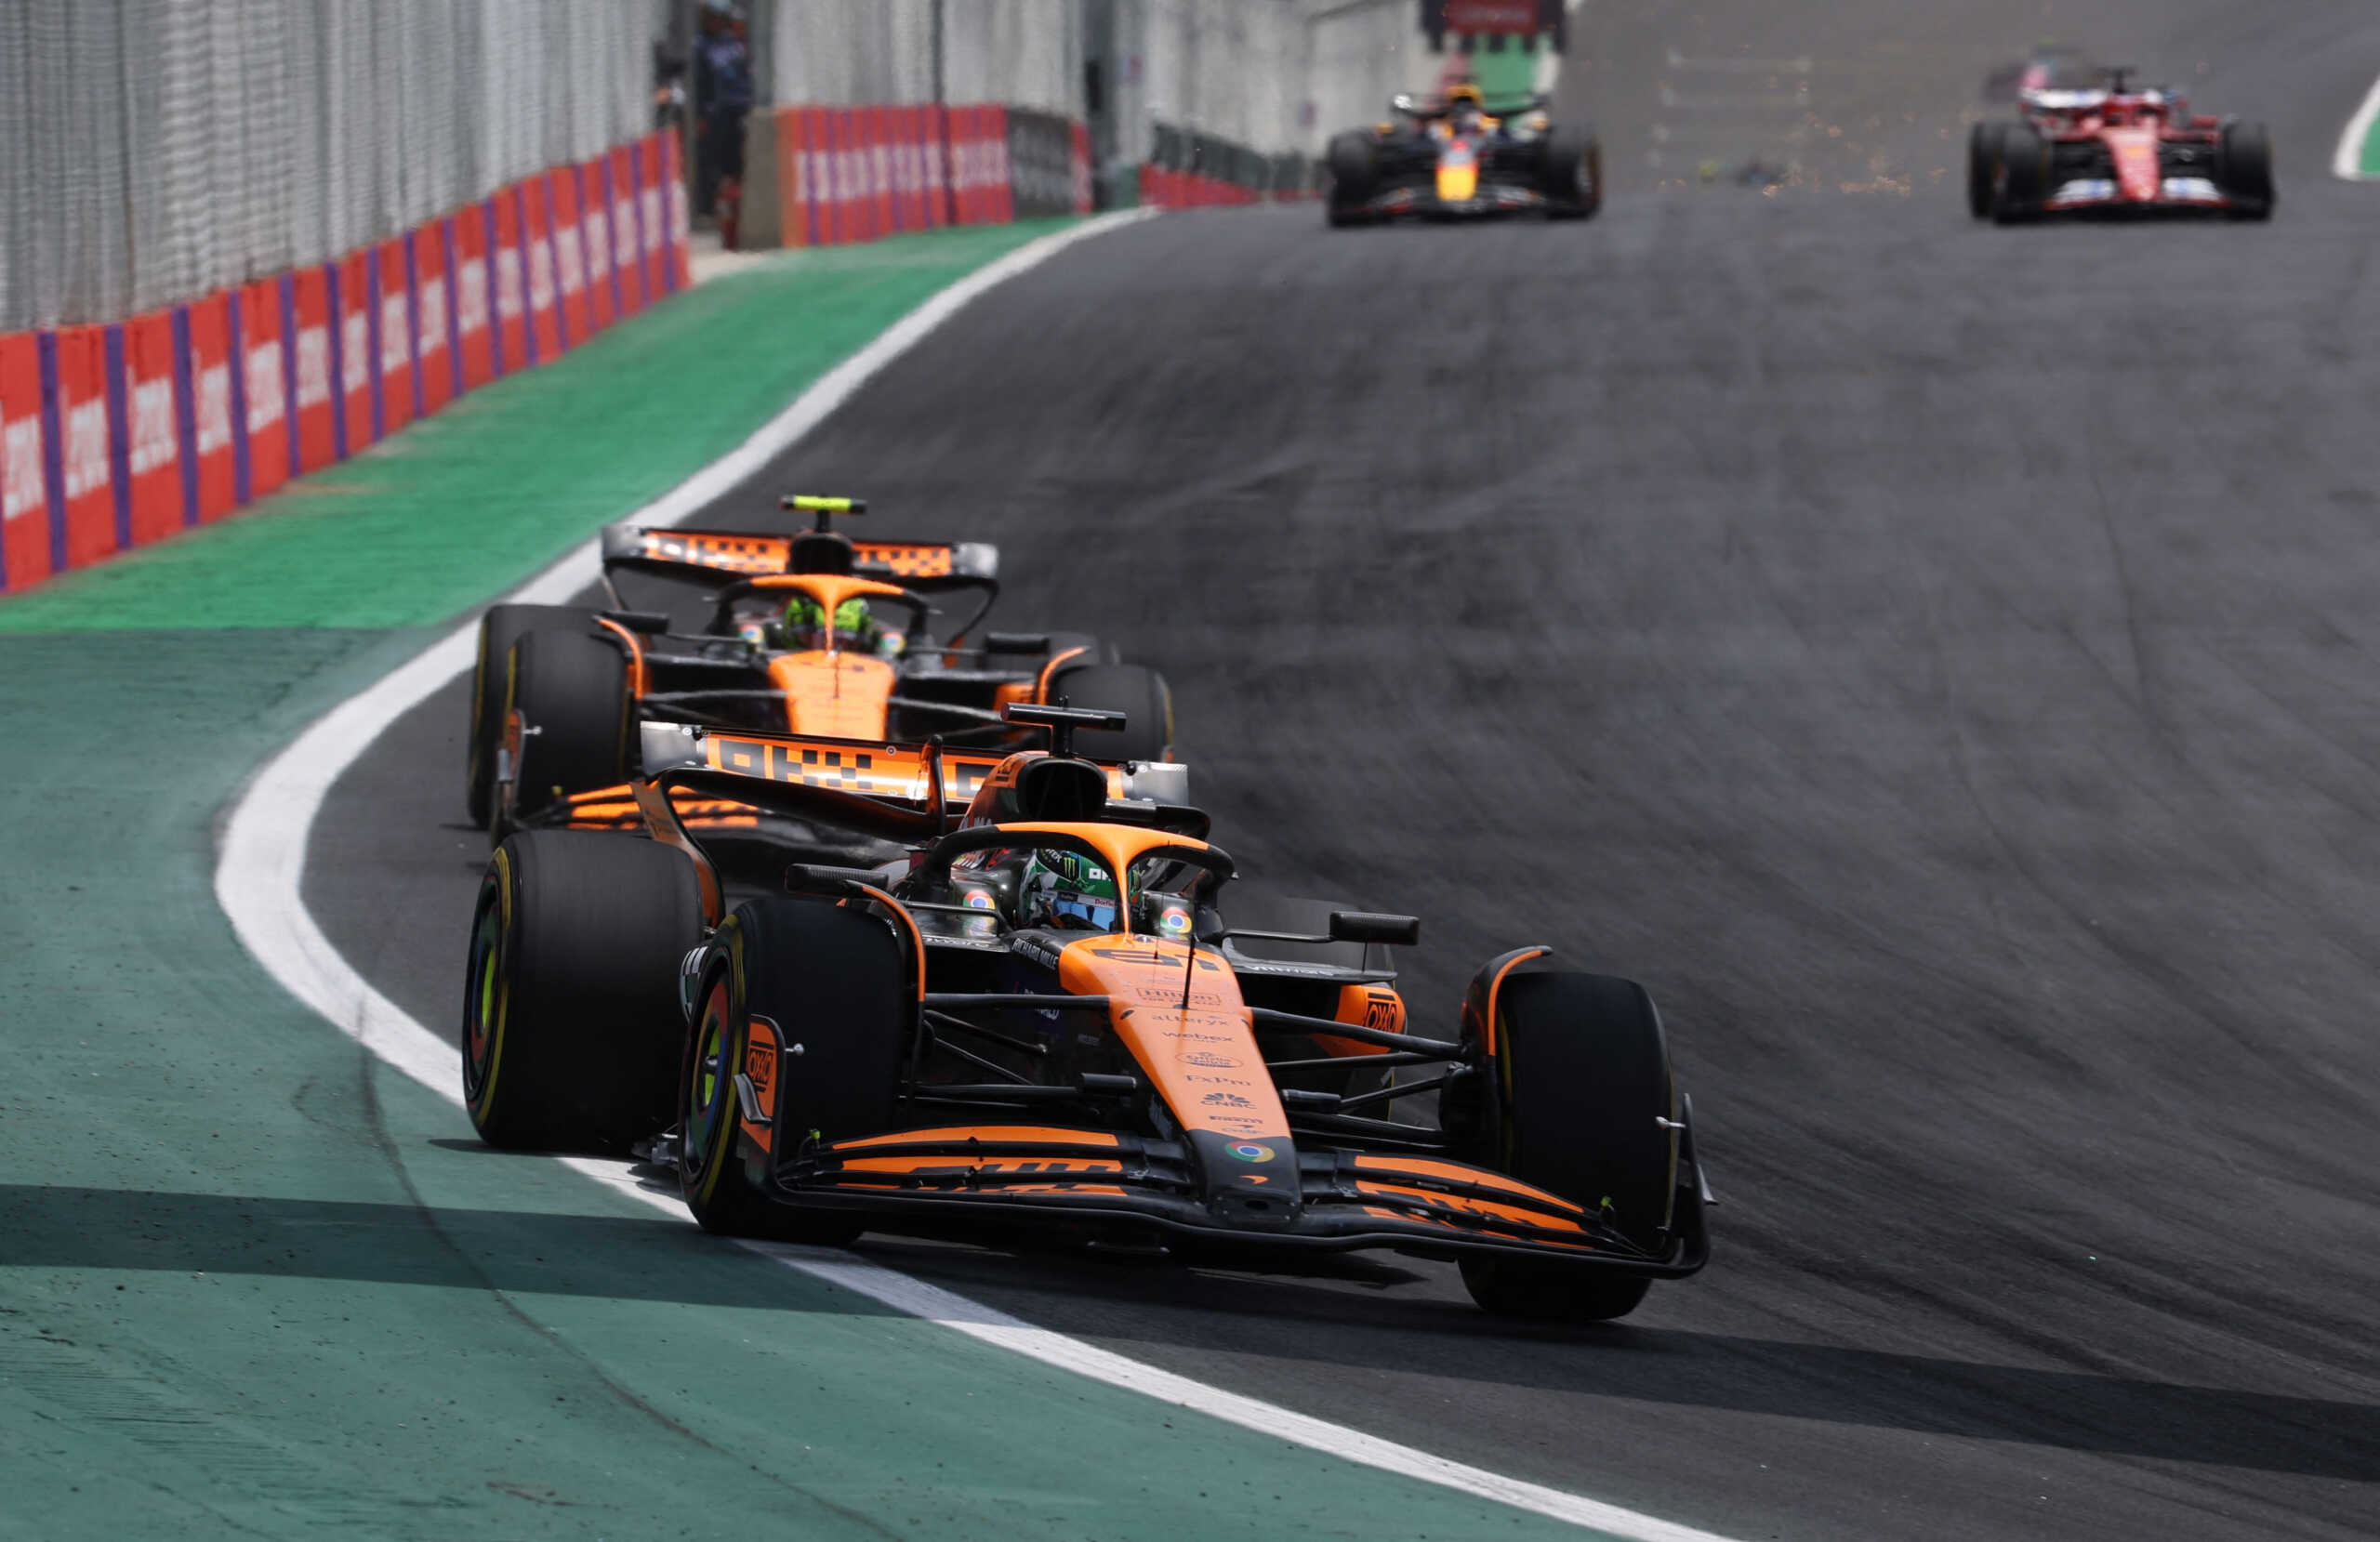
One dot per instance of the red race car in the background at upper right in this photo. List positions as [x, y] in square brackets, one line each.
[2117, 151]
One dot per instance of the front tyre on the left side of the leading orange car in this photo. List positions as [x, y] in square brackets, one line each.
[803, 1015]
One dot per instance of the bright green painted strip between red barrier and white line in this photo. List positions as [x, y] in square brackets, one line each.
[477, 499]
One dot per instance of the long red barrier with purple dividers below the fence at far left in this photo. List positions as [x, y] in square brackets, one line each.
[130, 432]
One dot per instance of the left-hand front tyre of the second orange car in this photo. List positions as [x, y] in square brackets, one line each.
[572, 694]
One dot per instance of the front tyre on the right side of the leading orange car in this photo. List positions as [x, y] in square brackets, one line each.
[1589, 1112]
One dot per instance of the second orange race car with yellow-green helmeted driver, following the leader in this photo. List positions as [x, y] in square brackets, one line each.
[810, 634]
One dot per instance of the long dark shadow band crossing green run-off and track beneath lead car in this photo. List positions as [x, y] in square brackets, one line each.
[672, 1262]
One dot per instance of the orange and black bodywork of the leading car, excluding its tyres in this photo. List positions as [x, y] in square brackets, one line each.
[1127, 1084]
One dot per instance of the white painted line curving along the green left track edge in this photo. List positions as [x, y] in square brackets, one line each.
[261, 886]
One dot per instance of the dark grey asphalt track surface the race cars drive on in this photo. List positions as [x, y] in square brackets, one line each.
[1939, 660]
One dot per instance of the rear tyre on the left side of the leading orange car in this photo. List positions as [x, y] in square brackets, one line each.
[570, 1022]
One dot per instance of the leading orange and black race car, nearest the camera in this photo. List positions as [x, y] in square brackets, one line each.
[1044, 1020]
